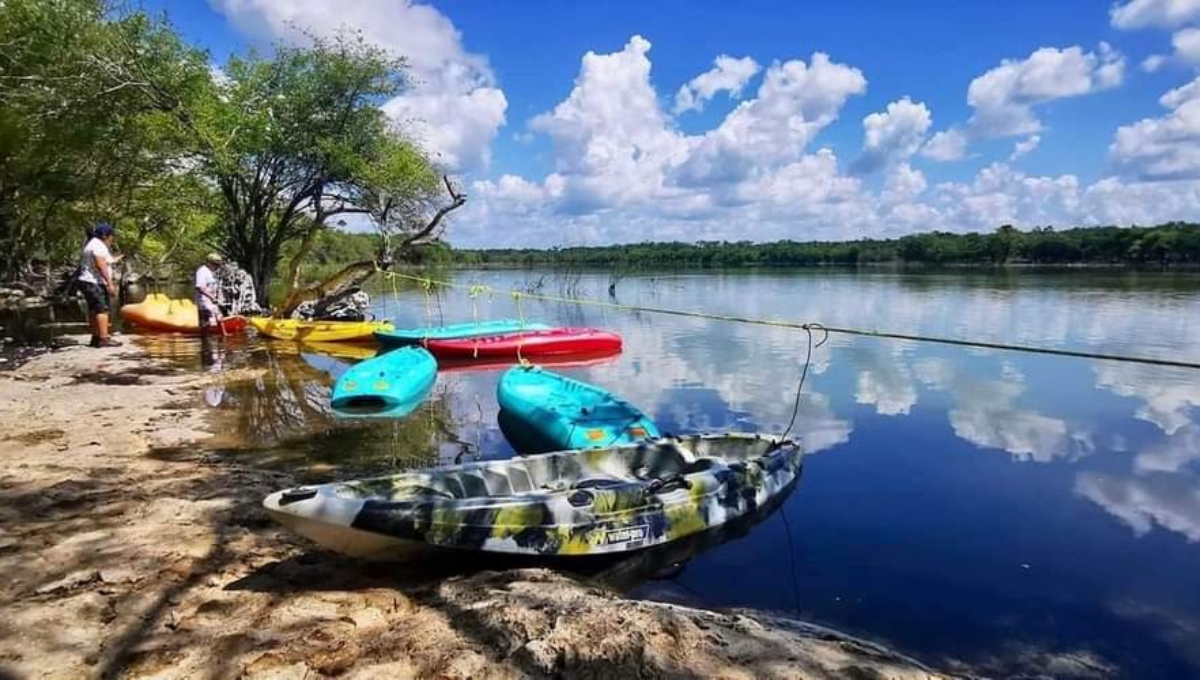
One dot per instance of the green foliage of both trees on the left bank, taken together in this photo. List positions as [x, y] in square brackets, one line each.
[109, 116]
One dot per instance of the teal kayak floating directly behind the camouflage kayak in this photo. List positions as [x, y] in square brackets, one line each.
[545, 412]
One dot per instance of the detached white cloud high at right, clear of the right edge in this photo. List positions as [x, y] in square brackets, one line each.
[1005, 98]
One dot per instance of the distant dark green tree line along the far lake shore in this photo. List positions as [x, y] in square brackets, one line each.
[1174, 243]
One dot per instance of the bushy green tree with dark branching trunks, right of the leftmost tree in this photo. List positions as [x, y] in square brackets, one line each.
[298, 139]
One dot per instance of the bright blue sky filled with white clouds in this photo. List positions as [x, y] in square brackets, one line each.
[586, 124]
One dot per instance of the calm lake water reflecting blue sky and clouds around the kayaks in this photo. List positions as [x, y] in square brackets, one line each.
[1001, 509]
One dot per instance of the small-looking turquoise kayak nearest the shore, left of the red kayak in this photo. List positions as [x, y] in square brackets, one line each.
[392, 384]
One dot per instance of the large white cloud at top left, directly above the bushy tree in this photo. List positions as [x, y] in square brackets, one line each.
[454, 109]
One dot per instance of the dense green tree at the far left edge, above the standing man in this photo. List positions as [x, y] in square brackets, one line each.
[83, 93]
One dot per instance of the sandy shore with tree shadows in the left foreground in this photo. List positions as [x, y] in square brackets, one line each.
[127, 552]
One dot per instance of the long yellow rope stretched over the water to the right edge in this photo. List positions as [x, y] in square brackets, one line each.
[809, 327]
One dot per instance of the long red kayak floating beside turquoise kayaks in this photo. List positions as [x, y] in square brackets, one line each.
[555, 342]
